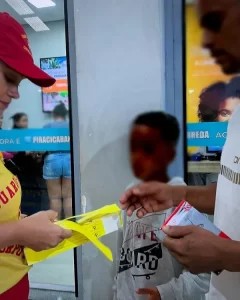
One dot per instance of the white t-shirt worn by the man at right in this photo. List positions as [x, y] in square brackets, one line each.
[226, 286]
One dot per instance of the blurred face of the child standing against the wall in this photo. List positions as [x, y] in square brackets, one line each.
[150, 156]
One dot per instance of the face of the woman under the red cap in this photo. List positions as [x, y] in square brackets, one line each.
[9, 83]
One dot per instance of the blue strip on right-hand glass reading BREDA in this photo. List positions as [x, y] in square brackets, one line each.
[206, 134]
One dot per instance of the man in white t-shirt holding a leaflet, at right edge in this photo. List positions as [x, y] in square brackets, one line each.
[197, 249]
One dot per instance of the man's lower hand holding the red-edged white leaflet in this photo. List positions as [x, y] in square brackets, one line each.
[199, 250]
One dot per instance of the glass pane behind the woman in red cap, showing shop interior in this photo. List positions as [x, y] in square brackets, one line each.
[35, 136]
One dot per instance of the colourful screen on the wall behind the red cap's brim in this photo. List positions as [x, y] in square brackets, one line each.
[51, 96]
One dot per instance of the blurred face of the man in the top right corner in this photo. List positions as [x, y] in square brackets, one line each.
[220, 21]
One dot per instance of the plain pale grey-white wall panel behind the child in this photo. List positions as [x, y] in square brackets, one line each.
[120, 73]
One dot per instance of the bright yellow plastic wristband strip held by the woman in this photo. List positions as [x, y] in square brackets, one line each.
[86, 228]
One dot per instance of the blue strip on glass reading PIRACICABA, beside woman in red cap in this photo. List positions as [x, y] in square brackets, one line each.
[45, 139]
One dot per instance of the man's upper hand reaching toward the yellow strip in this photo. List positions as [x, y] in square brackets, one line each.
[149, 197]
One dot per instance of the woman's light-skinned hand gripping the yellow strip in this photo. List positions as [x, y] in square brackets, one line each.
[39, 233]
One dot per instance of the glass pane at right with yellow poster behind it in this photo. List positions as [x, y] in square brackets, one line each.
[206, 87]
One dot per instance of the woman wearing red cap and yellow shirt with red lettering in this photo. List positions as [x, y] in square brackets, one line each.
[37, 231]
